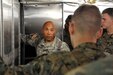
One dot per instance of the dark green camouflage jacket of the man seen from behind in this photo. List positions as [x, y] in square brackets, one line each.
[60, 63]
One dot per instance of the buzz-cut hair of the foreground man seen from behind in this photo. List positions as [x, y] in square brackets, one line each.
[87, 19]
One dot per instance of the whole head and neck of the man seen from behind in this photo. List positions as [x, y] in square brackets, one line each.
[85, 25]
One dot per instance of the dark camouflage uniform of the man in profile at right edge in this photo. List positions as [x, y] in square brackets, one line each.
[106, 43]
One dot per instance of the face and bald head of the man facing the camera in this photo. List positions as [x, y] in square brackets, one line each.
[49, 32]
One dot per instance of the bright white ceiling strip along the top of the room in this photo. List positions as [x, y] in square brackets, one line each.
[74, 1]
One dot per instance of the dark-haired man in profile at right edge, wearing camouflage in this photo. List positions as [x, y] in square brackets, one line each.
[106, 41]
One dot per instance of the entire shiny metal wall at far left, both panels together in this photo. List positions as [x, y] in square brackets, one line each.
[9, 30]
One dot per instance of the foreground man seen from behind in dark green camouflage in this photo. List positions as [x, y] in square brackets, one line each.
[84, 32]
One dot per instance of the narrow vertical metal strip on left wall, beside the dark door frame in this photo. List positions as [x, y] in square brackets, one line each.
[16, 31]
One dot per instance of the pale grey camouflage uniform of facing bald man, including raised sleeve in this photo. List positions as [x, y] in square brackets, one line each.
[42, 48]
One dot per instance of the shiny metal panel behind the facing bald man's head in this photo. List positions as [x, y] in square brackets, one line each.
[35, 16]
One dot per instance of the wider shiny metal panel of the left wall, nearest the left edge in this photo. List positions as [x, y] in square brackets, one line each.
[7, 30]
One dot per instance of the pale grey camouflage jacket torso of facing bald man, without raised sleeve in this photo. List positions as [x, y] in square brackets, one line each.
[56, 46]
